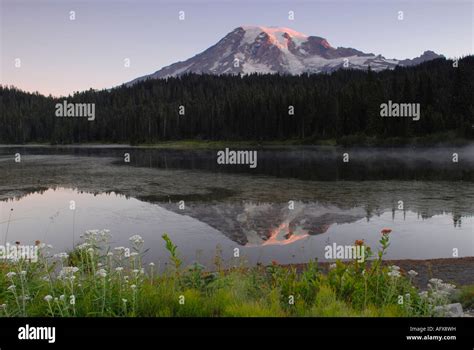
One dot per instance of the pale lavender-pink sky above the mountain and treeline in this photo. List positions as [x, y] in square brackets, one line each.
[59, 56]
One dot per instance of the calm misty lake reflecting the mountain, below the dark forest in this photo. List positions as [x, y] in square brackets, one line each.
[288, 209]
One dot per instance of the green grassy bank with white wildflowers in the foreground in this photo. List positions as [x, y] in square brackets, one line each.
[97, 280]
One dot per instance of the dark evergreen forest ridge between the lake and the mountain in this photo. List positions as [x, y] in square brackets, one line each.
[255, 107]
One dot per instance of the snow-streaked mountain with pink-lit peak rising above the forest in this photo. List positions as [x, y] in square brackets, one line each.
[257, 49]
